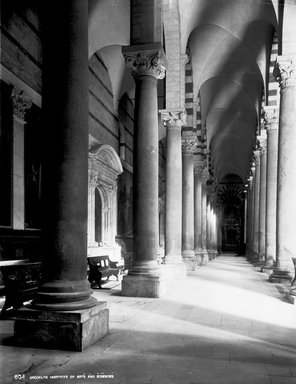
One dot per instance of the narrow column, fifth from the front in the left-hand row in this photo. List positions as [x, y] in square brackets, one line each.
[198, 213]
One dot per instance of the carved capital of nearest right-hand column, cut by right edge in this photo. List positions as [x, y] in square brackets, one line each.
[285, 71]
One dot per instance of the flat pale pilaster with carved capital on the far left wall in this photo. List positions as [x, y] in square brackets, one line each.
[20, 104]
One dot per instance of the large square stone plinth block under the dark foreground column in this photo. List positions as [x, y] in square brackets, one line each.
[66, 330]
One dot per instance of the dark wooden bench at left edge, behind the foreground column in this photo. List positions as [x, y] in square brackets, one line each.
[21, 281]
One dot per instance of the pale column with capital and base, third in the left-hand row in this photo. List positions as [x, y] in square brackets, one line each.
[174, 266]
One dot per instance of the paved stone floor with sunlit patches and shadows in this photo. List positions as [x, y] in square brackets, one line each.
[224, 324]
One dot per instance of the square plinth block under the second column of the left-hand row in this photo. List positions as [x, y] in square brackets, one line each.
[138, 285]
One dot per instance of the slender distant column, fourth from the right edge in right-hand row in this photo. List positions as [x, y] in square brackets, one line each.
[256, 206]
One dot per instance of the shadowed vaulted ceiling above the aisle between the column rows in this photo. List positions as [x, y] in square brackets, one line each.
[229, 44]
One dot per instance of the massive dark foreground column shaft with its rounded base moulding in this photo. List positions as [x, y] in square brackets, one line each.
[65, 163]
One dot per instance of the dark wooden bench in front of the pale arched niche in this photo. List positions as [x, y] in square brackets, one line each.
[100, 267]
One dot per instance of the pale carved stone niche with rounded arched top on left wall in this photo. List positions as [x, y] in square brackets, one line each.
[104, 167]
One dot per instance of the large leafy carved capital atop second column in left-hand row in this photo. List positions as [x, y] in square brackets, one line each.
[149, 60]
